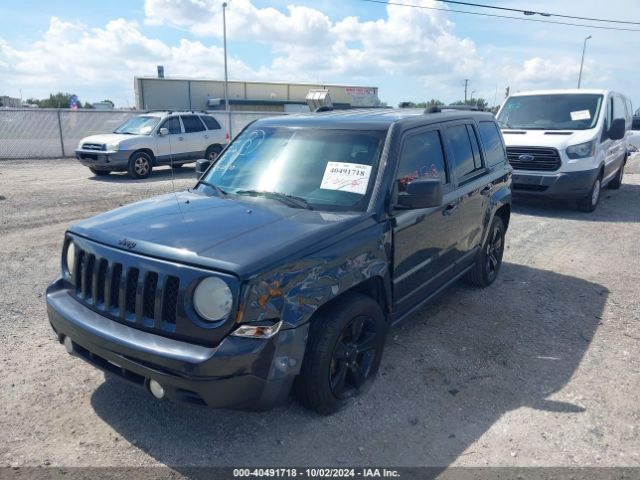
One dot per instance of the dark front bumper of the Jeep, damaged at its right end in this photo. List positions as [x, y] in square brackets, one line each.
[239, 373]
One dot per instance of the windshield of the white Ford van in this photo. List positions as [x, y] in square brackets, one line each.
[551, 112]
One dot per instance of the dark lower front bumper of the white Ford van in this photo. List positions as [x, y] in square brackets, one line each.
[560, 185]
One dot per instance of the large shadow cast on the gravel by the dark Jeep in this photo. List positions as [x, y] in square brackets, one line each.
[448, 375]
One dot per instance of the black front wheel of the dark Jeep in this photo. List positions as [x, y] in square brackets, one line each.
[343, 354]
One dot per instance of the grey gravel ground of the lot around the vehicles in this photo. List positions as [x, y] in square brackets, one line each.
[540, 369]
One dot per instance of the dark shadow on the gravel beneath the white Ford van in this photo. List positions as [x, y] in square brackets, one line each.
[614, 206]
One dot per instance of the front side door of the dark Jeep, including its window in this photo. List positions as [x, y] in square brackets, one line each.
[425, 240]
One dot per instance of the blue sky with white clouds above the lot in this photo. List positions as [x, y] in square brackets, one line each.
[95, 48]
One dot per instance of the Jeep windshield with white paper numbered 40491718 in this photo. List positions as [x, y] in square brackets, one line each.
[323, 169]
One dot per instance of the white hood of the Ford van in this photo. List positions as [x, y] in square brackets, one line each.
[559, 139]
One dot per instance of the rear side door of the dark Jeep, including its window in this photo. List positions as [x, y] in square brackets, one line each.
[470, 173]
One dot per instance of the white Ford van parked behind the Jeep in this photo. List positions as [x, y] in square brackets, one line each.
[566, 143]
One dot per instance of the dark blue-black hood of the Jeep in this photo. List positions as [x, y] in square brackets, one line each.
[228, 234]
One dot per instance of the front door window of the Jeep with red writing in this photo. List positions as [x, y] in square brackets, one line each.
[421, 156]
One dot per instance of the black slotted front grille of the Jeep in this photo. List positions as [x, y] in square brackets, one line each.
[127, 293]
